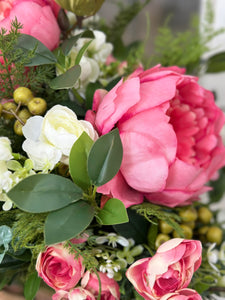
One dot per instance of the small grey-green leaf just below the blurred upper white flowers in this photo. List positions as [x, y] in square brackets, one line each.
[66, 80]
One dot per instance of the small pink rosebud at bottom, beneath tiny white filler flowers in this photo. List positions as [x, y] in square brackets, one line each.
[109, 287]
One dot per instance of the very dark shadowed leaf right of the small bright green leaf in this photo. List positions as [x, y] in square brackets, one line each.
[136, 228]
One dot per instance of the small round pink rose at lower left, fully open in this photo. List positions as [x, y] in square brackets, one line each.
[58, 268]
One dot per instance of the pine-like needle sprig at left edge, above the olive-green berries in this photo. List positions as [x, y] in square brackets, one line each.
[12, 62]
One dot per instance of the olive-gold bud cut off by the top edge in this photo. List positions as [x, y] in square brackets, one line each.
[81, 7]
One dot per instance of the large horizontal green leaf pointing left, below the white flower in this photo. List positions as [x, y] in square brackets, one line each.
[44, 192]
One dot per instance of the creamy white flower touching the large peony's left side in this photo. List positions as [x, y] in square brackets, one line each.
[49, 139]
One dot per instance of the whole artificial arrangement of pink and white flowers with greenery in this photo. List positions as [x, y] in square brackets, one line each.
[103, 160]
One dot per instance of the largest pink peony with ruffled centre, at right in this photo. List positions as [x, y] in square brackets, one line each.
[169, 127]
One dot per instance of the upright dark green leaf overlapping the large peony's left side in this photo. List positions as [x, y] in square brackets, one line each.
[105, 158]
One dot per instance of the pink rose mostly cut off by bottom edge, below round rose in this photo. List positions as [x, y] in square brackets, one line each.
[76, 294]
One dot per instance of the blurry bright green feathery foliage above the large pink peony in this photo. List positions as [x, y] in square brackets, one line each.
[184, 49]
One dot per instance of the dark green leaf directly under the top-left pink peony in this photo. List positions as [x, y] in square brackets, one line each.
[42, 54]
